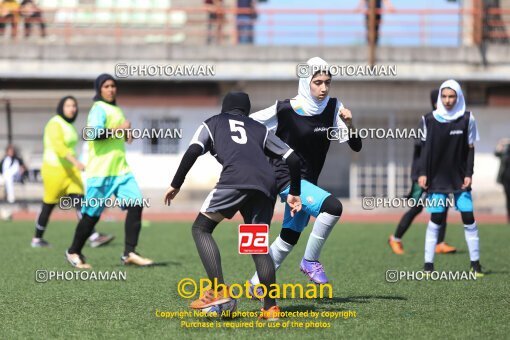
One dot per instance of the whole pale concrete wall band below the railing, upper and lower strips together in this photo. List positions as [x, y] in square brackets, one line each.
[234, 63]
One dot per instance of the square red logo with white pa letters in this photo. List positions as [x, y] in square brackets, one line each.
[253, 239]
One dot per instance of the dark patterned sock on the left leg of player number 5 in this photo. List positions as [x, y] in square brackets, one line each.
[207, 248]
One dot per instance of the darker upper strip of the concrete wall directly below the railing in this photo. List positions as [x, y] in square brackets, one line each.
[107, 51]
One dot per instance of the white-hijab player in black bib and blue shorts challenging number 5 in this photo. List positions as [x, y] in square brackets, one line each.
[304, 122]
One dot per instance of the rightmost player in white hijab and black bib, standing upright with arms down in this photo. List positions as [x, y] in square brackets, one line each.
[446, 166]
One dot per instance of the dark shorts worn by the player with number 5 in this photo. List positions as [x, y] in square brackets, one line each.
[254, 206]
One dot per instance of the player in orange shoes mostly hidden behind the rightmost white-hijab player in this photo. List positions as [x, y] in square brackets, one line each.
[416, 193]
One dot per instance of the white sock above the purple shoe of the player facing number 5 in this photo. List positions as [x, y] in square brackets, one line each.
[320, 232]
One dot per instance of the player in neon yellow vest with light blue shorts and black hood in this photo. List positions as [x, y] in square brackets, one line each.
[108, 174]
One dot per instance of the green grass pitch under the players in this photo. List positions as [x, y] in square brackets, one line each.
[356, 258]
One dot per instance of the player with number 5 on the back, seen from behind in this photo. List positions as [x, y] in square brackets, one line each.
[246, 184]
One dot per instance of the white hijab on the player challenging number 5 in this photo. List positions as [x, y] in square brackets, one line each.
[304, 99]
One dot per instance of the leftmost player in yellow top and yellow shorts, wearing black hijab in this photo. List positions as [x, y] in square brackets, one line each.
[61, 170]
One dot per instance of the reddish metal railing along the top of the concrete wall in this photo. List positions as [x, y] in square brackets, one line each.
[287, 26]
